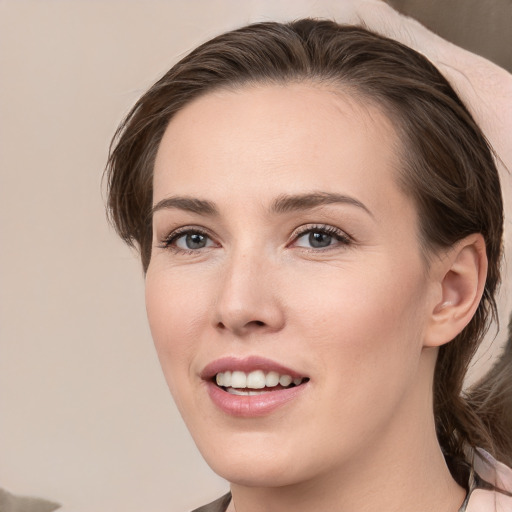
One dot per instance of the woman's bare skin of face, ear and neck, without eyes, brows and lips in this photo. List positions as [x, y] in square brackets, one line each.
[362, 319]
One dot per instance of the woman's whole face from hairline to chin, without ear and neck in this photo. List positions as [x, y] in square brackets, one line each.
[284, 248]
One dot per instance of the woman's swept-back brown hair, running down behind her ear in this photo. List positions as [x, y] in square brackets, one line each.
[448, 167]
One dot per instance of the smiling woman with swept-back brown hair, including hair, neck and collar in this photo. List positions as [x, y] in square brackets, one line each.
[320, 224]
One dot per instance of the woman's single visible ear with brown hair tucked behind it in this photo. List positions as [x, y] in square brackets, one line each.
[461, 274]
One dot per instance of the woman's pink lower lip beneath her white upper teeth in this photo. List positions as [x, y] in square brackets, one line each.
[252, 406]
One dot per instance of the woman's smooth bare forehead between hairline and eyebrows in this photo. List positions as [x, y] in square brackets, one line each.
[256, 140]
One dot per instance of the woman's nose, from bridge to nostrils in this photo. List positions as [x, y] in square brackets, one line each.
[248, 301]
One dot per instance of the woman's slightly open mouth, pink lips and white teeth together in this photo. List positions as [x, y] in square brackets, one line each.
[253, 386]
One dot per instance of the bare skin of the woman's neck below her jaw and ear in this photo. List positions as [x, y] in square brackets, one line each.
[402, 468]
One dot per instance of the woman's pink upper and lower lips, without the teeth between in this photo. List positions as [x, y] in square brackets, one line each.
[256, 405]
